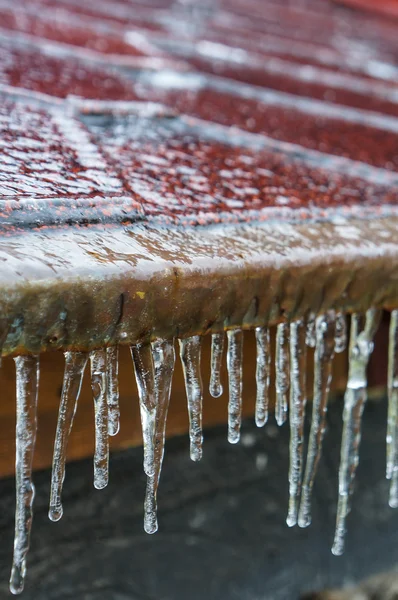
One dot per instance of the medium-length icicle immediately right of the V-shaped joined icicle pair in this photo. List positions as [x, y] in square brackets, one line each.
[190, 349]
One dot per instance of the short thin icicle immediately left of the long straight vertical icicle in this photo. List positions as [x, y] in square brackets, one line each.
[282, 367]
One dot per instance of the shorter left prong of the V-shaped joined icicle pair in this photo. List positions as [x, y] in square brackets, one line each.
[144, 374]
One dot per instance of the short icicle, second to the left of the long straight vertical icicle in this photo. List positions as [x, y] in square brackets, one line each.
[263, 367]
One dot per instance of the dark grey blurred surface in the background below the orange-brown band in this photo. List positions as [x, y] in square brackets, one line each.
[222, 531]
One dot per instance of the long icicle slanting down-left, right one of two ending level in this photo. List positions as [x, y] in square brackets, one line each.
[324, 352]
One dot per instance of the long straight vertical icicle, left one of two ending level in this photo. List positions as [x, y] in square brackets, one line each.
[298, 355]
